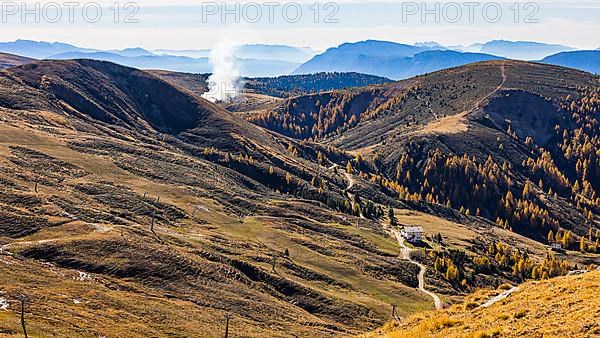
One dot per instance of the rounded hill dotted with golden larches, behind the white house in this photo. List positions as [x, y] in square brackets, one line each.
[513, 142]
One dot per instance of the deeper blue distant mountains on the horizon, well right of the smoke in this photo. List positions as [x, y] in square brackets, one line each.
[400, 61]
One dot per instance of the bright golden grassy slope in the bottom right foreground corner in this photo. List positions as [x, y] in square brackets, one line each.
[560, 307]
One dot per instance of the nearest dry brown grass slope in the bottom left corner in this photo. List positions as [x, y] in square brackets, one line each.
[63, 304]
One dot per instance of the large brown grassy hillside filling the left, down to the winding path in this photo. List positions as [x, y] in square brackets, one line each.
[122, 195]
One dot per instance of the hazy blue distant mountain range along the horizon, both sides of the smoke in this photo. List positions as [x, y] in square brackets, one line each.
[380, 58]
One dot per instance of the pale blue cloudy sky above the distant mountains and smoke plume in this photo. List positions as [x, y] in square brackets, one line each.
[158, 24]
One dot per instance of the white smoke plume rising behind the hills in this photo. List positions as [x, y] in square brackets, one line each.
[225, 83]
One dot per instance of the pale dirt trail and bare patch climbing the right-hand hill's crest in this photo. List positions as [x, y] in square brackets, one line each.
[457, 123]
